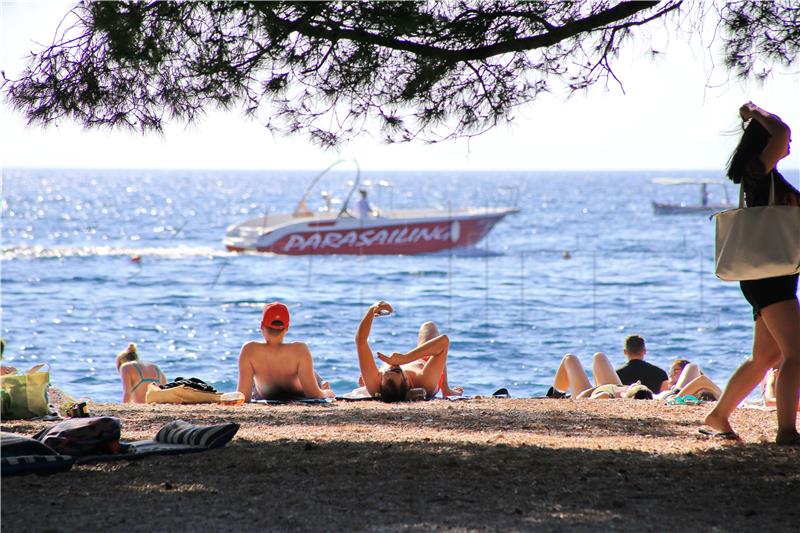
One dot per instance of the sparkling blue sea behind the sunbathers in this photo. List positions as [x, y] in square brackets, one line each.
[512, 306]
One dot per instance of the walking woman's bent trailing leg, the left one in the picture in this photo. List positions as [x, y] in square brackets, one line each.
[765, 354]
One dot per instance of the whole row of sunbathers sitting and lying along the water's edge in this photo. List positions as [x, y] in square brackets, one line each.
[276, 369]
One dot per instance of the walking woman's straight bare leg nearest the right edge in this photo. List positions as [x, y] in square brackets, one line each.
[783, 321]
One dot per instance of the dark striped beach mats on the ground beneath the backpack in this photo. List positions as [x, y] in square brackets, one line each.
[24, 455]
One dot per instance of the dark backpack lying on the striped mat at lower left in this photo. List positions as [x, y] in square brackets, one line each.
[83, 436]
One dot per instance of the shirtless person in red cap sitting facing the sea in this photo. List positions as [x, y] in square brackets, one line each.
[275, 369]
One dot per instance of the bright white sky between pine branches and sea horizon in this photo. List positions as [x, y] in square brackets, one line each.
[677, 113]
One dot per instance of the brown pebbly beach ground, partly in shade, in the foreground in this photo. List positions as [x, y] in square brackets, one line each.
[478, 465]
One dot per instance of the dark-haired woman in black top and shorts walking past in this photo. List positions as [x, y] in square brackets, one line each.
[776, 338]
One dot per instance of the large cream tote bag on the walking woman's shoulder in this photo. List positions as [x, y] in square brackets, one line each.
[758, 242]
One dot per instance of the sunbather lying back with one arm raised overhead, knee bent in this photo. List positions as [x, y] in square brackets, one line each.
[422, 367]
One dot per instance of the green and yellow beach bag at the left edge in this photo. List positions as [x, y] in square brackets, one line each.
[25, 395]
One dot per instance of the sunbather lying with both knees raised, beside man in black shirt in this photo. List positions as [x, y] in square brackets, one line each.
[571, 377]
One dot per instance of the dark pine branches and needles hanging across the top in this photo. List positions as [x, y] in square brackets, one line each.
[422, 70]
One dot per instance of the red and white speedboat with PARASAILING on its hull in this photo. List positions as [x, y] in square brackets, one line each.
[327, 232]
